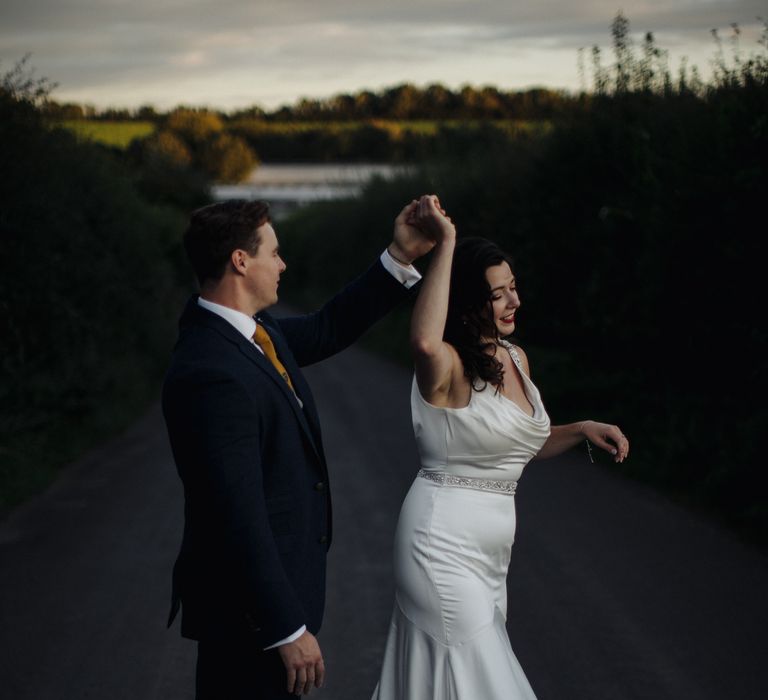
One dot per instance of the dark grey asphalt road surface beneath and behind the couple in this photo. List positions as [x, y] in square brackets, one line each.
[614, 592]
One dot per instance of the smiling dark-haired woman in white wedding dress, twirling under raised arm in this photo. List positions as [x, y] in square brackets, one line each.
[478, 420]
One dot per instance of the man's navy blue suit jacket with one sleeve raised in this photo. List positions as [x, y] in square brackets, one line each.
[257, 505]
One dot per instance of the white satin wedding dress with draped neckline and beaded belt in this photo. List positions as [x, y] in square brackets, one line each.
[447, 639]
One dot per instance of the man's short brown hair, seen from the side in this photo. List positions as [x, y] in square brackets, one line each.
[216, 230]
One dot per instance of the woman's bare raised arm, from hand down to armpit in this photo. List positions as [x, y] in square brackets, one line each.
[435, 360]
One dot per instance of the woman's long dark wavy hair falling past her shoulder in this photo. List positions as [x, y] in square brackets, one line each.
[470, 310]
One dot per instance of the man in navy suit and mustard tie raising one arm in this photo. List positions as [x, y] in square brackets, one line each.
[245, 433]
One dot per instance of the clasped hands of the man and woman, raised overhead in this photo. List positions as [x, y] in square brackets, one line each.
[420, 226]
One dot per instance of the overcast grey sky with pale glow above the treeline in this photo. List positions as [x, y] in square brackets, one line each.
[235, 53]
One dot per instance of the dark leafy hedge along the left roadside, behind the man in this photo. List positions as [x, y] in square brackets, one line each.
[90, 287]
